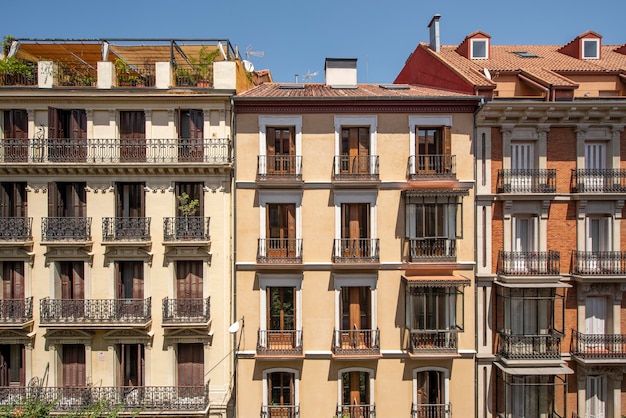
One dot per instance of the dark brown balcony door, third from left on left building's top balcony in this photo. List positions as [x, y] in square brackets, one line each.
[132, 136]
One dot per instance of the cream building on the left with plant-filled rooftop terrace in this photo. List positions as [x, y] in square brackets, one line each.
[116, 224]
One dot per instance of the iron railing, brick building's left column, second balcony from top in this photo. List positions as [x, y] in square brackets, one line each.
[523, 263]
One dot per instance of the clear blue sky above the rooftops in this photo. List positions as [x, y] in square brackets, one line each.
[297, 35]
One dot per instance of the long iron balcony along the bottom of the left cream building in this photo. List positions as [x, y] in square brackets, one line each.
[130, 399]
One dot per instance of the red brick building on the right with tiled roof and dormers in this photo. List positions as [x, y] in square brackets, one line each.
[550, 151]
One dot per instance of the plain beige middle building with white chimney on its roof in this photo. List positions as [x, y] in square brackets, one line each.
[354, 249]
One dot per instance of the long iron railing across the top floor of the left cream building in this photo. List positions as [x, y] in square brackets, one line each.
[116, 150]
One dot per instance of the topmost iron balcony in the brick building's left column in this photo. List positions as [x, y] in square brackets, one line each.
[526, 181]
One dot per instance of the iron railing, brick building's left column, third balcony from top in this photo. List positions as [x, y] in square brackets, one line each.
[529, 347]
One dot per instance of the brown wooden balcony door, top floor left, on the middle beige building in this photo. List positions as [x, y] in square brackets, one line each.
[281, 150]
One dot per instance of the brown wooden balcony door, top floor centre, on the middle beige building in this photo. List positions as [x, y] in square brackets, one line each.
[355, 150]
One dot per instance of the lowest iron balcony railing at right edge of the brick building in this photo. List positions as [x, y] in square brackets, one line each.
[598, 346]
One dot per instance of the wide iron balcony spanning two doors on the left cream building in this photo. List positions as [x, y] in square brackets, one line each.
[96, 313]
